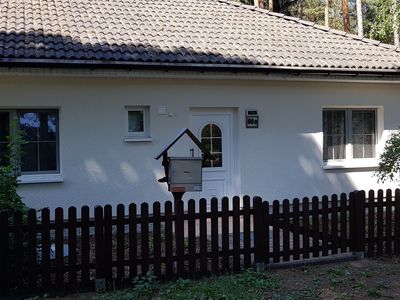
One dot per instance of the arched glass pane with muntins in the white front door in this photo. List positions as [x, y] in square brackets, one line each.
[211, 138]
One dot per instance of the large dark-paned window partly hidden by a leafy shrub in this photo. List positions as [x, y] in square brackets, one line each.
[40, 154]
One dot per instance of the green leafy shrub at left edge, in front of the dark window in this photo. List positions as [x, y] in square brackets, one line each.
[10, 164]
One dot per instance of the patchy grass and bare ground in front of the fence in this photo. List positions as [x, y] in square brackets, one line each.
[364, 279]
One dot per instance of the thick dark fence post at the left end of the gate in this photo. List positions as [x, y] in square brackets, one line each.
[259, 235]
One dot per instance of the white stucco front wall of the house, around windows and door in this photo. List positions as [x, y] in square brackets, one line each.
[281, 159]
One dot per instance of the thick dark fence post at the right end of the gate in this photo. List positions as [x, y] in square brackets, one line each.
[357, 223]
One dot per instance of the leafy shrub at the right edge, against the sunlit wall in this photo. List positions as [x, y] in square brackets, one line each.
[389, 160]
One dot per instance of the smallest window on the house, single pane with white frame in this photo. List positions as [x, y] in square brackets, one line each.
[138, 121]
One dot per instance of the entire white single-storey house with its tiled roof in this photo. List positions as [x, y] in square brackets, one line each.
[101, 86]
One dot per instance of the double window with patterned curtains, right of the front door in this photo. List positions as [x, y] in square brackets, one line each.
[349, 134]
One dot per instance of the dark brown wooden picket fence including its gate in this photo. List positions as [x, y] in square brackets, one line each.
[38, 254]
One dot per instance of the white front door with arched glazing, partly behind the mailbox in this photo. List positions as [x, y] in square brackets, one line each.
[214, 130]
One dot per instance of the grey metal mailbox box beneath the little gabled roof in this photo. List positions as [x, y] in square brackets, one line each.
[185, 174]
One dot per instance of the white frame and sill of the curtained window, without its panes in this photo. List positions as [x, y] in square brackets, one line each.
[349, 162]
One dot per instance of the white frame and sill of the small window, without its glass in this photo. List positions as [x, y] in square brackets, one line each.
[143, 136]
